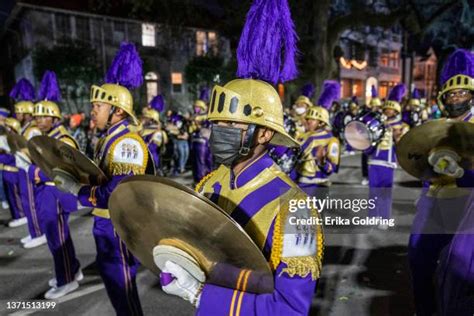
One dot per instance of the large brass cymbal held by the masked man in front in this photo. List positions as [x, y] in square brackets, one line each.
[148, 211]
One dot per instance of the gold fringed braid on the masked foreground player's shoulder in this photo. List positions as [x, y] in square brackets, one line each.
[301, 266]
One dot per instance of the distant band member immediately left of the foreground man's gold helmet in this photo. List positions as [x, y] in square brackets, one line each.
[200, 132]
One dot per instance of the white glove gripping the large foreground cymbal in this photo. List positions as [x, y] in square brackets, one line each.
[184, 285]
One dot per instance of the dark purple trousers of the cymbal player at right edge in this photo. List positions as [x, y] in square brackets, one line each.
[433, 228]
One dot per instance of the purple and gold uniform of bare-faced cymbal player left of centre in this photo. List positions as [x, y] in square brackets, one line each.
[120, 153]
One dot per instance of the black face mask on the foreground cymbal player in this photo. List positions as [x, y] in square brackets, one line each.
[226, 144]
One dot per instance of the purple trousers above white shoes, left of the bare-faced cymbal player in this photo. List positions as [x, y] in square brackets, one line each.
[54, 207]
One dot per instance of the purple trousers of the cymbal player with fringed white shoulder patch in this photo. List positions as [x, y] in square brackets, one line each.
[117, 267]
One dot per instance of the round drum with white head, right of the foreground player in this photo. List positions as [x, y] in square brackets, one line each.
[364, 131]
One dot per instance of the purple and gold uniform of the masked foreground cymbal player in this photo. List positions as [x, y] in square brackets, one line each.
[257, 198]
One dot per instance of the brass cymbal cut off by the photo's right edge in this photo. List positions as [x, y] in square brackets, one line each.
[416, 145]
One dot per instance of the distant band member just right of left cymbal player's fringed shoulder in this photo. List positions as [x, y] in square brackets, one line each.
[152, 134]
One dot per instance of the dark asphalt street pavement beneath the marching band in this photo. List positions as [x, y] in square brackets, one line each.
[365, 272]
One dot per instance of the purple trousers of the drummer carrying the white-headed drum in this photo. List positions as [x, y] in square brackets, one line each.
[380, 189]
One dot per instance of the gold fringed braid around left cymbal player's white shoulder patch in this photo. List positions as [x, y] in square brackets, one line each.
[127, 168]
